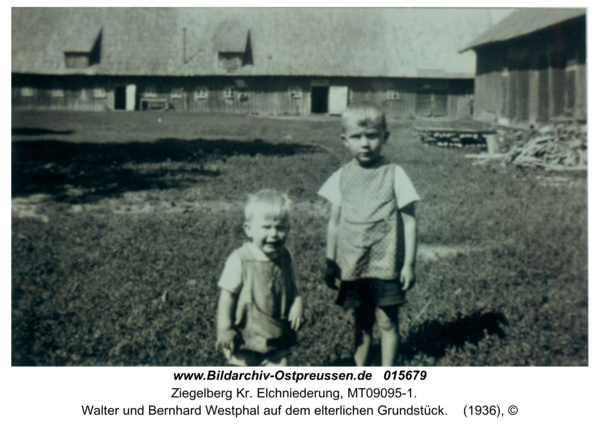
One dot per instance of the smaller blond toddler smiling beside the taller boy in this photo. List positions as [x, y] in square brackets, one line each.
[259, 307]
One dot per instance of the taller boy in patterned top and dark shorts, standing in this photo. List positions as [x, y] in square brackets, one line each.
[371, 236]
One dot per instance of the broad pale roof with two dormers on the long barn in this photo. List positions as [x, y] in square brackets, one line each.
[285, 41]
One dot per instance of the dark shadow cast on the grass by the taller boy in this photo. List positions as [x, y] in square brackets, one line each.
[433, 338]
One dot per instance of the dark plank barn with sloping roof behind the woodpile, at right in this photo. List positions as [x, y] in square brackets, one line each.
[531, 67]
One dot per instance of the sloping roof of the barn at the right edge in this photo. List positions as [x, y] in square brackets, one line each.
[522, 22]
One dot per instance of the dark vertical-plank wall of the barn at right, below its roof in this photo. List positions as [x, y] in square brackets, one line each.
[524, 81]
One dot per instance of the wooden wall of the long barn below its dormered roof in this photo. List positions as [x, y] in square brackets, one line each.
[401, 97]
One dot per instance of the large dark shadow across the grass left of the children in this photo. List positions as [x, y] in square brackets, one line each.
[106, 169]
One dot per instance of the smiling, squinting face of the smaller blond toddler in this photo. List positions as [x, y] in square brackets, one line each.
[266, 233]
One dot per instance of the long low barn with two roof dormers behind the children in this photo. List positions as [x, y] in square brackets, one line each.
[245, 61]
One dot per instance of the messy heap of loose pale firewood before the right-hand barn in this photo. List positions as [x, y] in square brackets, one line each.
[557, 146]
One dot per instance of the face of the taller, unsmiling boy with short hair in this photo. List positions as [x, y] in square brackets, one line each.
[364, 142]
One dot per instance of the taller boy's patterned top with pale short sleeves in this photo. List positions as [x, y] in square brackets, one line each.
[368, 243]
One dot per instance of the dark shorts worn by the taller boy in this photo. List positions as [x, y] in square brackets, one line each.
[370, 292]
